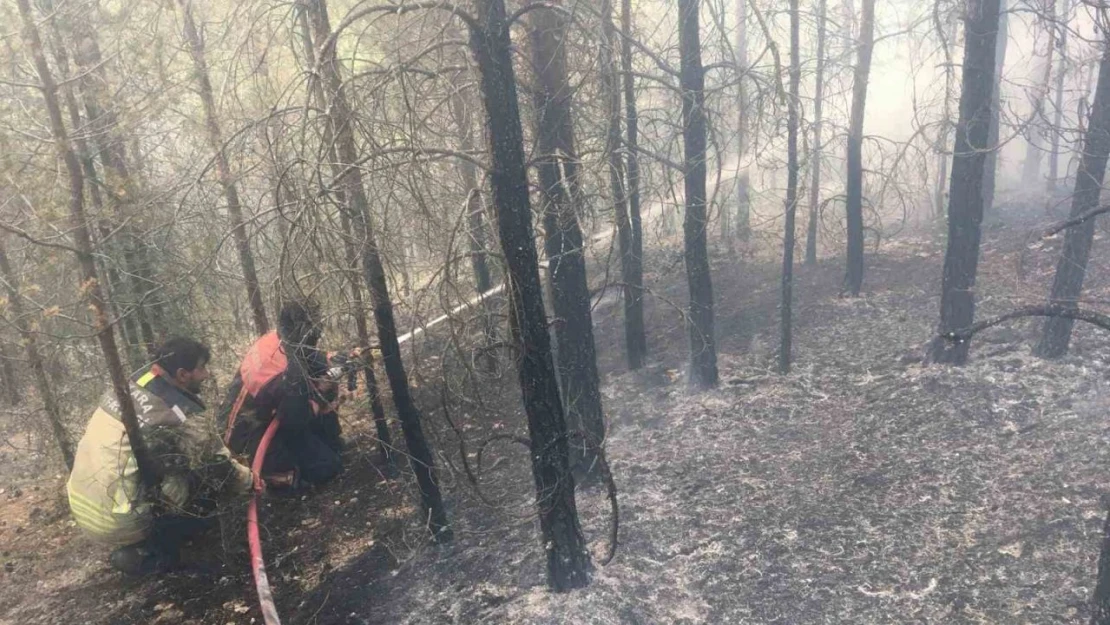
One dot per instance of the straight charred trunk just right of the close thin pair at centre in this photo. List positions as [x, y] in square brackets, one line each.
[703, 374]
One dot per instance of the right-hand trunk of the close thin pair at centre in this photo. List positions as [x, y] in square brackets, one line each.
[632, 259]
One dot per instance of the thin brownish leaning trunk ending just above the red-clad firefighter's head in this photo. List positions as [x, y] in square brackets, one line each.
[224, 172]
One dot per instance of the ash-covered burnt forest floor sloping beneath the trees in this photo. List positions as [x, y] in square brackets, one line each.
[864, 488]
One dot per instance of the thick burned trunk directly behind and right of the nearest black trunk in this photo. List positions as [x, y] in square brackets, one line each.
[563, 243]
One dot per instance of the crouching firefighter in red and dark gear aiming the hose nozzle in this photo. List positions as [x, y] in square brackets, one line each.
[285, 377]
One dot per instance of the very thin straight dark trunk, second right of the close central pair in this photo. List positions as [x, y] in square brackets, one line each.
[792, 197]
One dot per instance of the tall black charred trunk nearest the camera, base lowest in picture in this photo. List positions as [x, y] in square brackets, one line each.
[568, 560]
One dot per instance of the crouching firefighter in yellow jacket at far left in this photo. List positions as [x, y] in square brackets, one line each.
[106, 496]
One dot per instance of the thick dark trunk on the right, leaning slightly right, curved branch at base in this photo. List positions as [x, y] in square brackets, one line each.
[965, 201]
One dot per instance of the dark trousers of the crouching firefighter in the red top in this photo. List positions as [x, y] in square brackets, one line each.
[314, 451]
